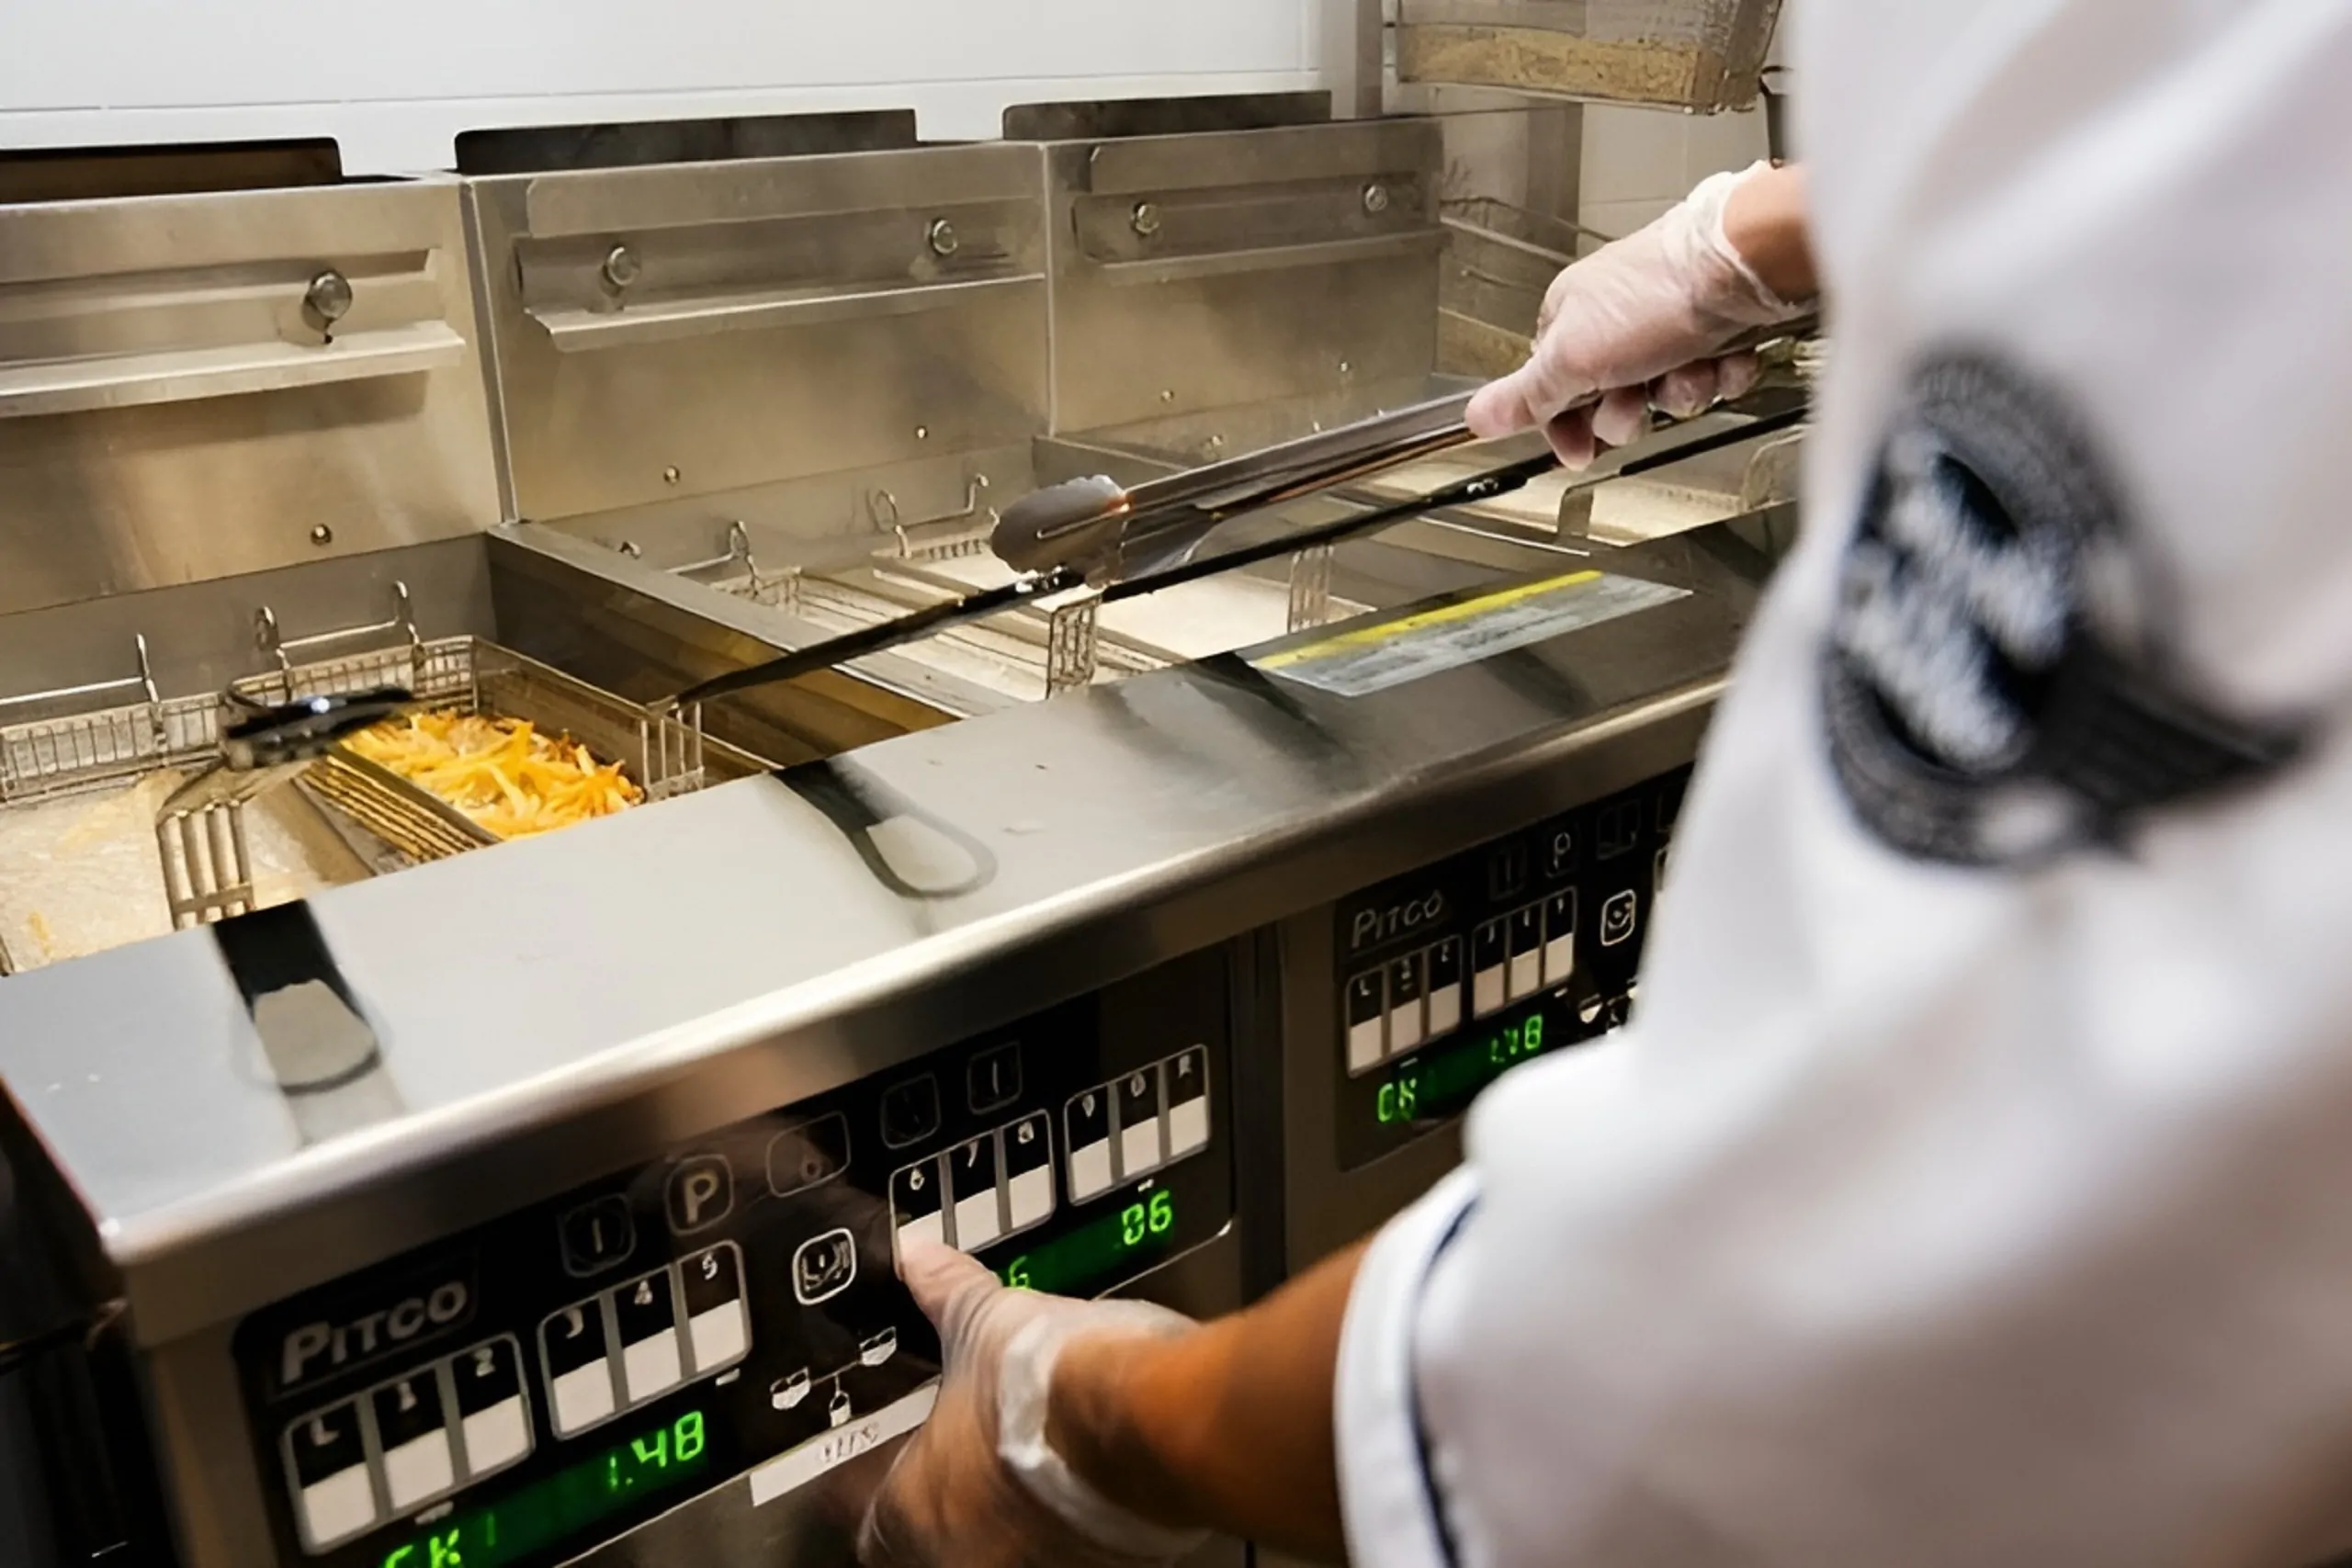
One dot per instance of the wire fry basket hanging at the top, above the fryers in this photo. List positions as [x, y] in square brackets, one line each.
[1690, 55]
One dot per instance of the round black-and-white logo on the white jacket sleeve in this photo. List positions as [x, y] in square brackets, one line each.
[1993, 681]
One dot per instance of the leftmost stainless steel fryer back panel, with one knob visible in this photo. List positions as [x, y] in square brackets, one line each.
[178, 406]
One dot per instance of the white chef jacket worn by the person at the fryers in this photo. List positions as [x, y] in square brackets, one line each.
[1930, 1212]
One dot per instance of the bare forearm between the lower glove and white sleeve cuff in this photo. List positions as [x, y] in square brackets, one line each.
[1227, 1426]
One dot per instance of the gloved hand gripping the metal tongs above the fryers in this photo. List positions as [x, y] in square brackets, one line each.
[1641, 321]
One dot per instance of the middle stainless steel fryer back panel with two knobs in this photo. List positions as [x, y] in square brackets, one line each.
[782, 319]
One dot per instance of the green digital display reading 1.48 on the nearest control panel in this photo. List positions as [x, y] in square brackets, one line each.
[563, 1503]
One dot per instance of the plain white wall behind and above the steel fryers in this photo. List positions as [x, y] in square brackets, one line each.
[394, 83]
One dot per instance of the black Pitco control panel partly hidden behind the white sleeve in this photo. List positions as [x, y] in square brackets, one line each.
[1464, 970]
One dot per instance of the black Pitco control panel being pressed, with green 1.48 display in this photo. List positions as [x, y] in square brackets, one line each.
[544, 1383]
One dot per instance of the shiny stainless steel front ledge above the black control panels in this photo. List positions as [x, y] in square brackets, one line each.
[570, 1005]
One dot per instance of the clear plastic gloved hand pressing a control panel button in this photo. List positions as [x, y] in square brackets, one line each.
[980, 1487]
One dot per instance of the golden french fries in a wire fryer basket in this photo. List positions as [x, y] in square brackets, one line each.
[505, 775]
